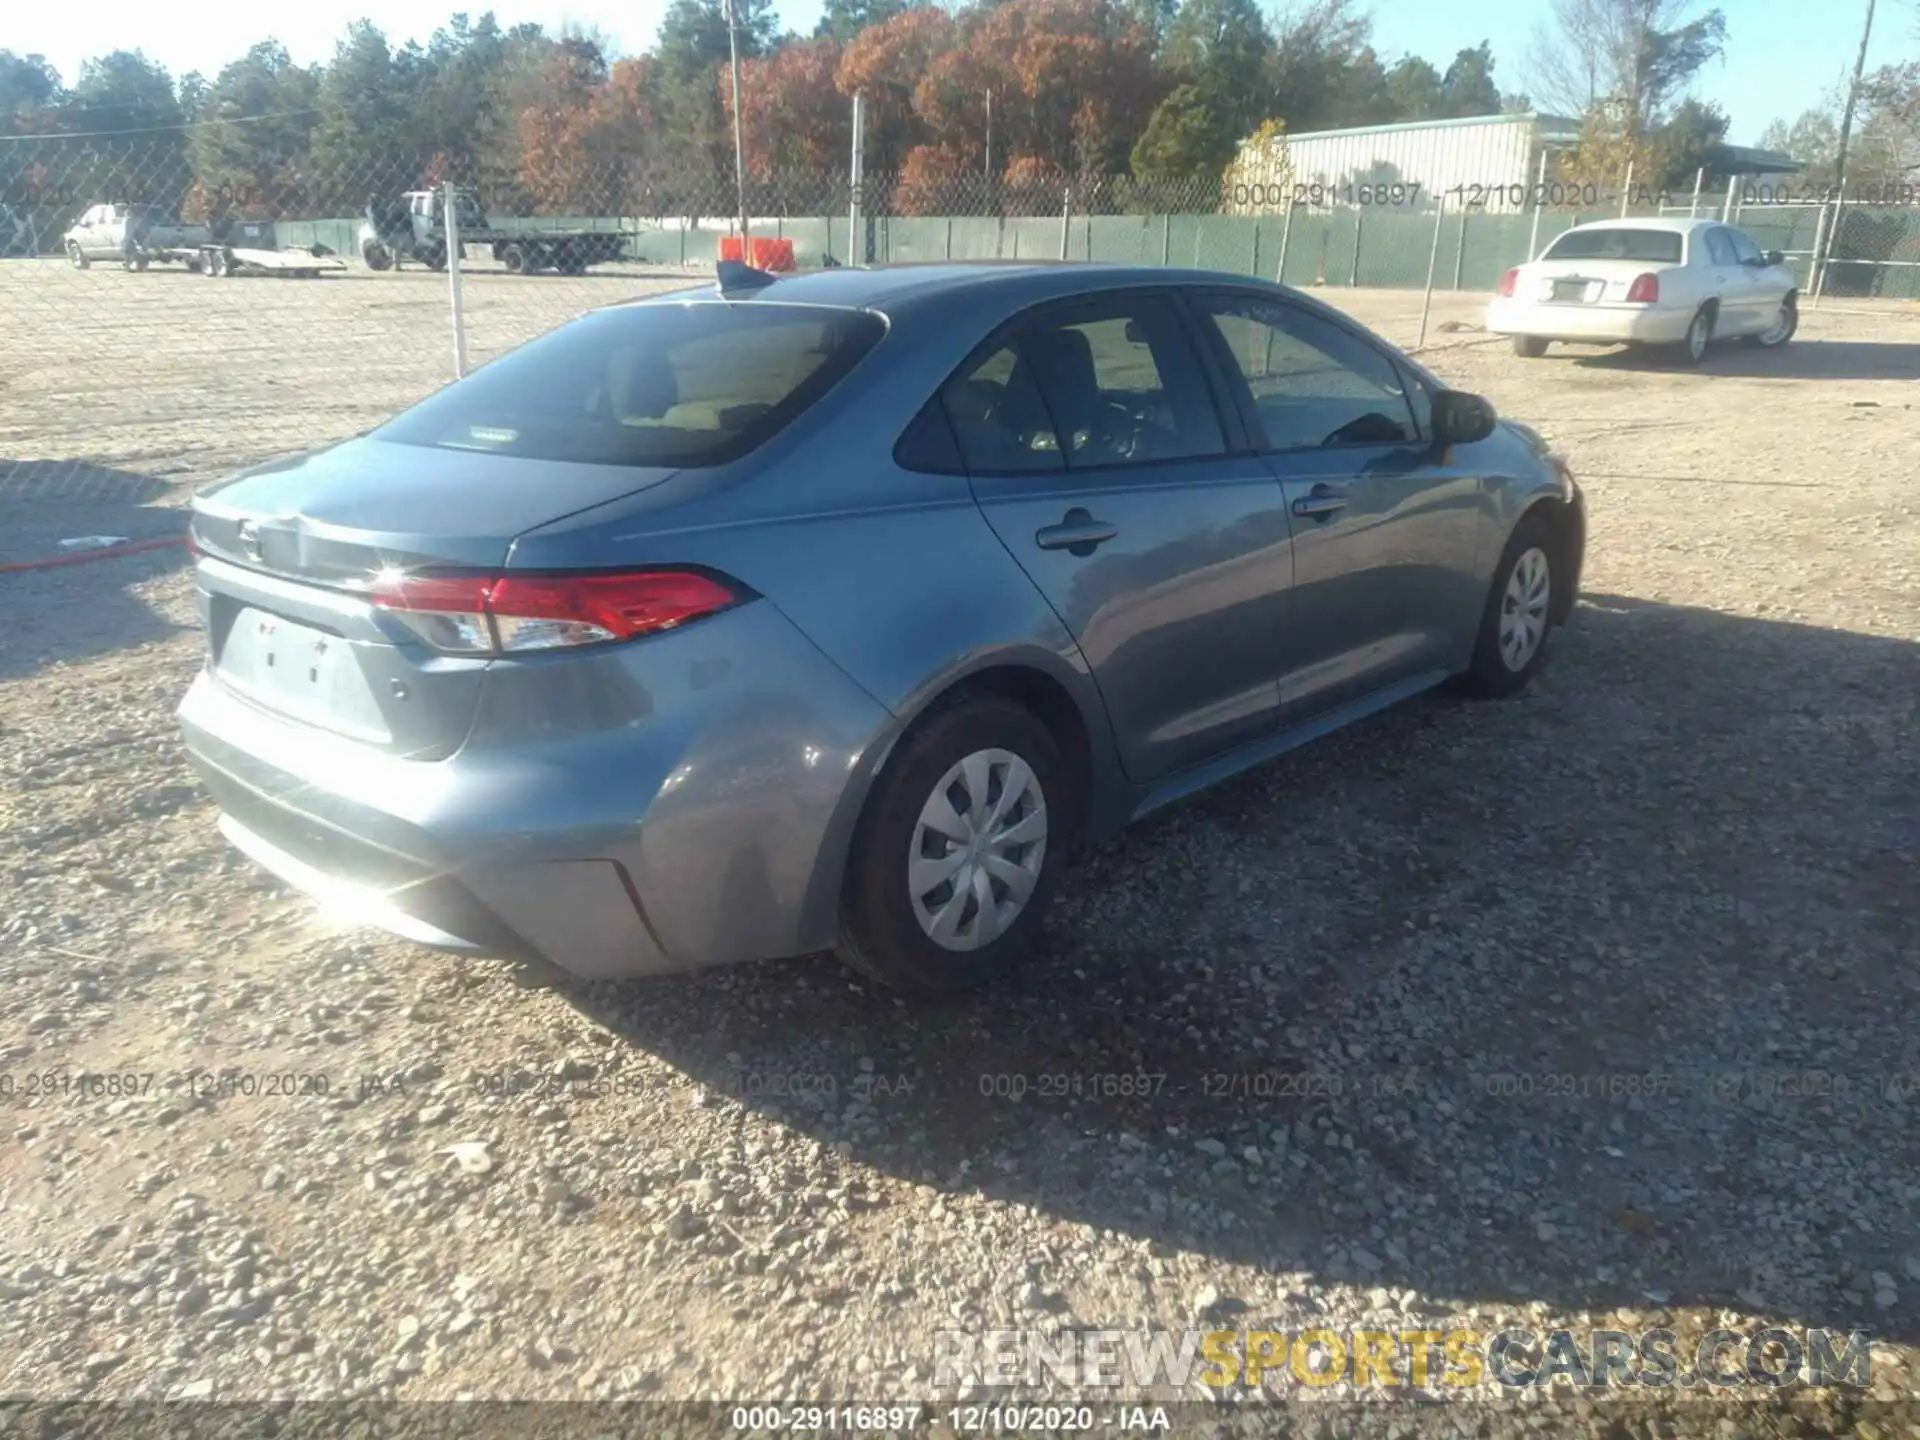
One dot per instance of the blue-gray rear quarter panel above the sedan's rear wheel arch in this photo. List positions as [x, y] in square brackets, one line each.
[894, 575]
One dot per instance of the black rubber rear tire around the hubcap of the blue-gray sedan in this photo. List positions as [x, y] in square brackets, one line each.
[880, 934]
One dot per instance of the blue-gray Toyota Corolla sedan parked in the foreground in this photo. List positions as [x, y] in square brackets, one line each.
[834, 612]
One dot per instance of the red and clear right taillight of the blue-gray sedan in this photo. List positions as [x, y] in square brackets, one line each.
[517, 613]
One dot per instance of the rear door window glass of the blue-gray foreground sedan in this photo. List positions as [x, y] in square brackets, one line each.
[1088, 389]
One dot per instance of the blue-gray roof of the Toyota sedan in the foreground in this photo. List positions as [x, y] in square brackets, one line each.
[1015, 283]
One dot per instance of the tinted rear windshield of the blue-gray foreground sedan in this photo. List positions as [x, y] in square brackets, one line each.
[677, 385]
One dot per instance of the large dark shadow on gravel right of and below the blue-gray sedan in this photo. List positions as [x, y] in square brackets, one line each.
[1598, 999]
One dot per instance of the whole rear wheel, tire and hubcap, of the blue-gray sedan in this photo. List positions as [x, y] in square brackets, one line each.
[957, 852]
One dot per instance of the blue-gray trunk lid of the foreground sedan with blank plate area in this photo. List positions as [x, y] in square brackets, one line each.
[291, 554]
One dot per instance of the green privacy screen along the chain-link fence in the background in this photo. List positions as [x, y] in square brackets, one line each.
[1875, 254]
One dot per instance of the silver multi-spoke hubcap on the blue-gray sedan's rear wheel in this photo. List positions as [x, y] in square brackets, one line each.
[978, 852]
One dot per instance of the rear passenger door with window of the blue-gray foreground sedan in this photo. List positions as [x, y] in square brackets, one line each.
[1118, 477]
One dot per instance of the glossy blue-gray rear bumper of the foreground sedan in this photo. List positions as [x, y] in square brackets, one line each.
[713, 830]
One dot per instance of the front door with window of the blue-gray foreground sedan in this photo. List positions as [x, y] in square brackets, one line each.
[1385, 525]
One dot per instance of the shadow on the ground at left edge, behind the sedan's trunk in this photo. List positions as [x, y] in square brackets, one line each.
[82, 610]
